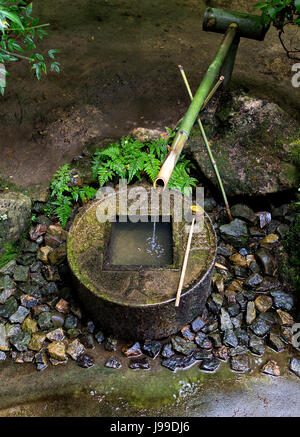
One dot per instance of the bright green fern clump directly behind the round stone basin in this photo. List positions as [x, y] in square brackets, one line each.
[131, 159]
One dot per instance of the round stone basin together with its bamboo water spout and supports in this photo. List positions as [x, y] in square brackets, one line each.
[129, 297]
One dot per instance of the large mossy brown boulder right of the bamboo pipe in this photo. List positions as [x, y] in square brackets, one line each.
[256, 147]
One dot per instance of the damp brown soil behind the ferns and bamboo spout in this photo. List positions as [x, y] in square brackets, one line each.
[119, 70]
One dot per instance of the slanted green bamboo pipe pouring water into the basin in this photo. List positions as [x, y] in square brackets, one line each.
[194, 108]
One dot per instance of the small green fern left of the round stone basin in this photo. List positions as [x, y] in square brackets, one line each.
[64, 195]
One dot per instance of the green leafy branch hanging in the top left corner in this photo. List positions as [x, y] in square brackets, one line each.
[20, 32]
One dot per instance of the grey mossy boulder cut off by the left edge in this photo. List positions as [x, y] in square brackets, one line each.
[15, 213]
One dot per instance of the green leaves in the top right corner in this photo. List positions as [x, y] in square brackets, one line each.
[281, 13]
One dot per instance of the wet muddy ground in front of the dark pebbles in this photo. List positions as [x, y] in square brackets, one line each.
[69, 390]
